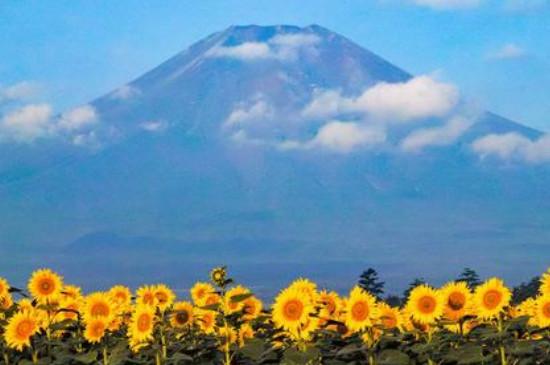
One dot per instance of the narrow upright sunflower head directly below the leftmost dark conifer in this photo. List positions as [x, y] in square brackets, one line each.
[360, 309]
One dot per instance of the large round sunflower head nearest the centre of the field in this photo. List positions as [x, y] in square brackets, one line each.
[291, 309]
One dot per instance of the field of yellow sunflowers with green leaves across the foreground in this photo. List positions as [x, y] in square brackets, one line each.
[224, 323]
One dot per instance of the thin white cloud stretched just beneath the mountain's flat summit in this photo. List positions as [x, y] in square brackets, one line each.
[282, 47]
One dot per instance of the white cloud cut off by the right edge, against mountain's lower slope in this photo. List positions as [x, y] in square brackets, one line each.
[514, 146]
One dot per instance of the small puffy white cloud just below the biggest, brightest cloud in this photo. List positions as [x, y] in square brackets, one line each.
[345, 137]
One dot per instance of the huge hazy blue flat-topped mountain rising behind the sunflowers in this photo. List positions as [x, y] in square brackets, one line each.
[212, 158]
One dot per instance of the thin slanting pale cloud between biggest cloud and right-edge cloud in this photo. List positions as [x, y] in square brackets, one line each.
[437, 136]
